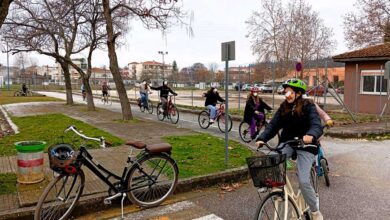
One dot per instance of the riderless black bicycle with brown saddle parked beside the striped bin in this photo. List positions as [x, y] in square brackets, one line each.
[147, 179]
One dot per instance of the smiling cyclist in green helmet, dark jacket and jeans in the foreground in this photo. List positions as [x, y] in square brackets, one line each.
[297, 117]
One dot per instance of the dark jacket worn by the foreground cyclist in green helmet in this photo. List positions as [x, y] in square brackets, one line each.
[295, 126]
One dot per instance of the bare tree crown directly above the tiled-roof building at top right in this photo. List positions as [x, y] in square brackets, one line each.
[369, 25]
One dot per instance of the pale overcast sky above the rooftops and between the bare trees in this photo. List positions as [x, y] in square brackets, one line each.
[215, 21]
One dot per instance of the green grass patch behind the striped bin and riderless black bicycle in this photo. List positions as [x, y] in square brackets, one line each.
[50, 128]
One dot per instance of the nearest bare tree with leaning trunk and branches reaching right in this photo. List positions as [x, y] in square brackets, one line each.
[155, 14]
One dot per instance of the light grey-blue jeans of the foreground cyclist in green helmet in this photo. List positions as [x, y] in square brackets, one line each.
[304, 162]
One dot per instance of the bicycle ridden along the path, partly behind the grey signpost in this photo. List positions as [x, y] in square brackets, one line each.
[204, 119]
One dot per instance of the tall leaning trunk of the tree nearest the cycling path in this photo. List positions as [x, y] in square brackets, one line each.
[124, 100]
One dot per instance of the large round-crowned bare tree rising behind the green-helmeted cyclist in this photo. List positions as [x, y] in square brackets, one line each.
[286, 33]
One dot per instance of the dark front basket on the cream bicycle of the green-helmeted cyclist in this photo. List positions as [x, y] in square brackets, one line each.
[268, 170]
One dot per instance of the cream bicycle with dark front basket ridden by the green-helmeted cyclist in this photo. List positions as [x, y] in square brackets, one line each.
[268, 173]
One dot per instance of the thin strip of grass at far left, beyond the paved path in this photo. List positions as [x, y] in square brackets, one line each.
[7, 97]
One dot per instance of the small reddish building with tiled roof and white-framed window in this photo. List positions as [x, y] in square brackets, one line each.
[365, 89]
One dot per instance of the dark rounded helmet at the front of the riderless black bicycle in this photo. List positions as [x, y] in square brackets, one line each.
[62, 159]
